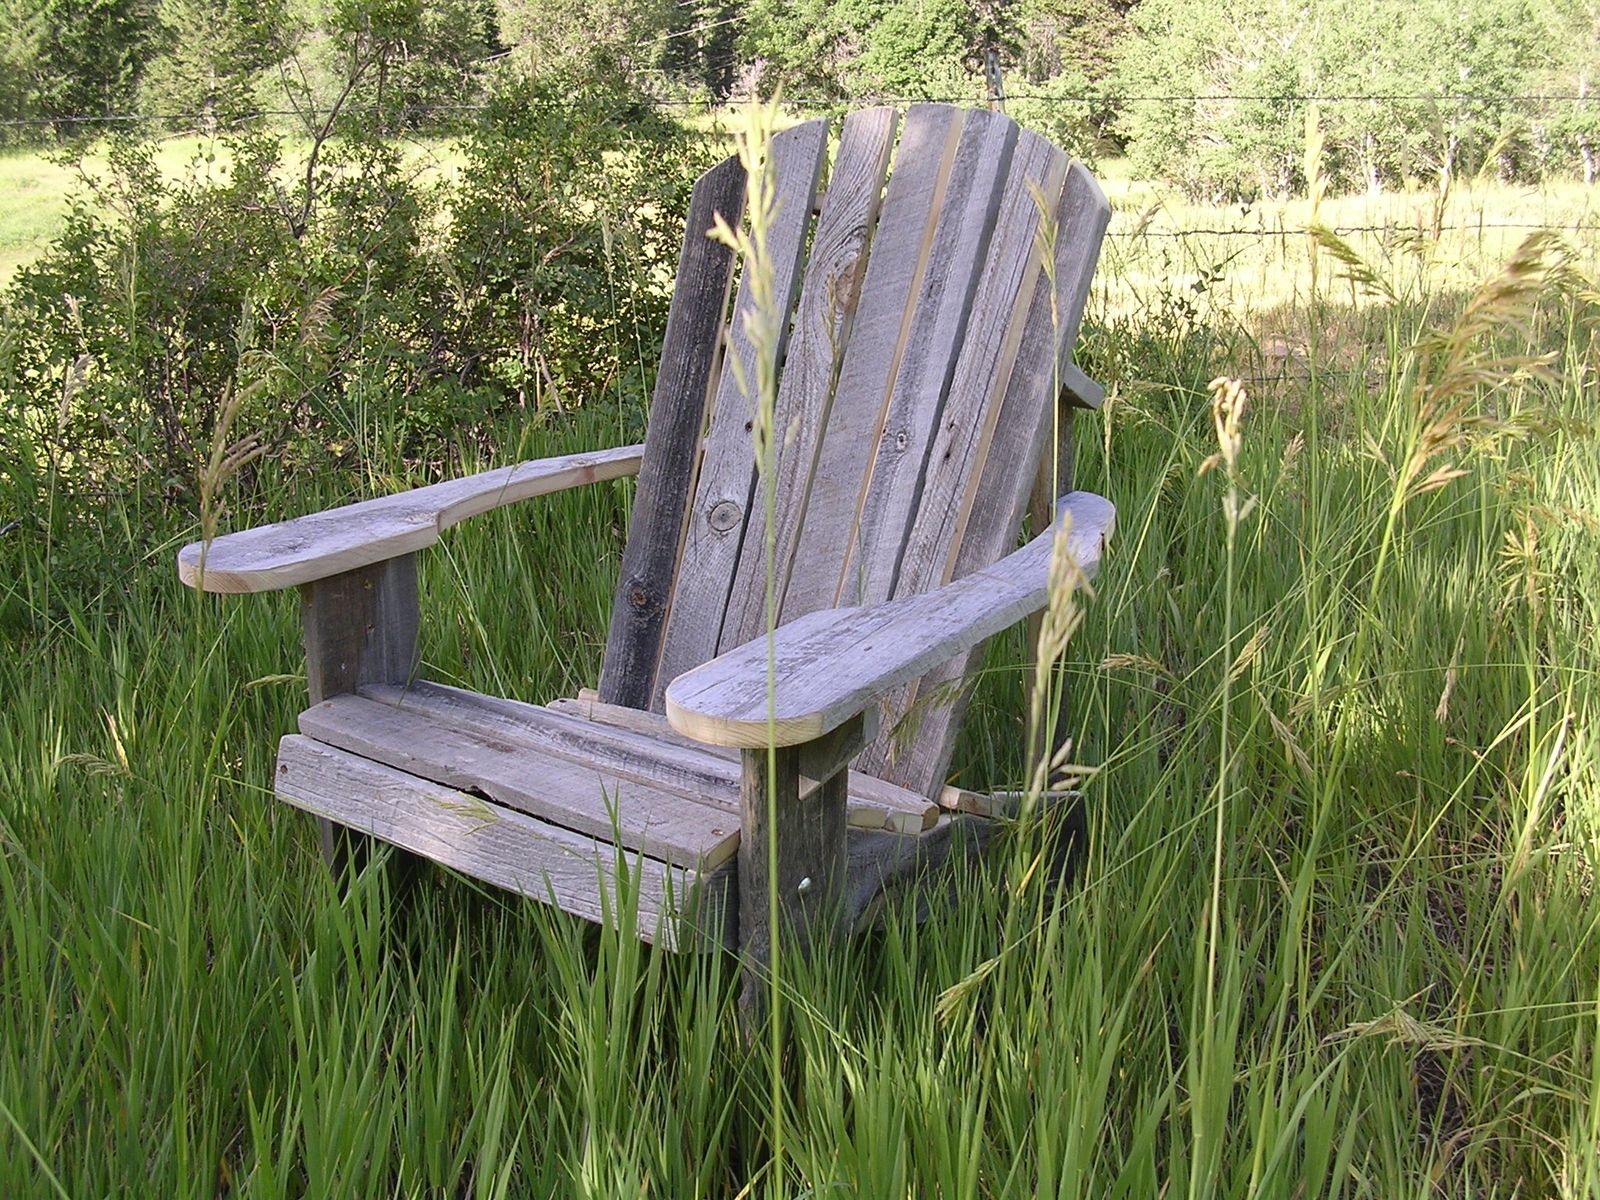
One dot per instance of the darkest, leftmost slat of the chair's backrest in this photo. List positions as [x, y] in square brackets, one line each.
[686, 382]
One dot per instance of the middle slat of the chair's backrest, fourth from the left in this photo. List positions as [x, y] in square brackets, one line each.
[884, 321]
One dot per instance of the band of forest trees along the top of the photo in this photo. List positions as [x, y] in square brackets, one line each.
[1206, 94]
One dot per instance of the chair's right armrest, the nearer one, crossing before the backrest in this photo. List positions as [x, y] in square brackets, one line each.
[833, 665]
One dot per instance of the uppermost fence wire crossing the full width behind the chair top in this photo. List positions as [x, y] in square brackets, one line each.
[818, 105]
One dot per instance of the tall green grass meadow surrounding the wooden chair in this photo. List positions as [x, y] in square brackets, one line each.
[1334, 934]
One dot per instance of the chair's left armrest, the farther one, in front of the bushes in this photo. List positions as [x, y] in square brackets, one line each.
[329, 543]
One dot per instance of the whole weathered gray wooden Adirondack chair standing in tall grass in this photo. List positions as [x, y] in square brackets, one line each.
[916, 404]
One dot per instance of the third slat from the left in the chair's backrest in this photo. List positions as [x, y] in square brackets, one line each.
[822, 332]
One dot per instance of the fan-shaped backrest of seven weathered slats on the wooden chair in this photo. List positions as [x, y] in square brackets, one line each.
[916, 396]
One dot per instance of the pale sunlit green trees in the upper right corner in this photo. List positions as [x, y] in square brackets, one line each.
[1422, 94]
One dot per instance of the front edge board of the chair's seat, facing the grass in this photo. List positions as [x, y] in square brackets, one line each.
[678, 908]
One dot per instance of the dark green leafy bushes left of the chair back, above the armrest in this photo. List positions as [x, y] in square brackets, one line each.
[338, 298]
